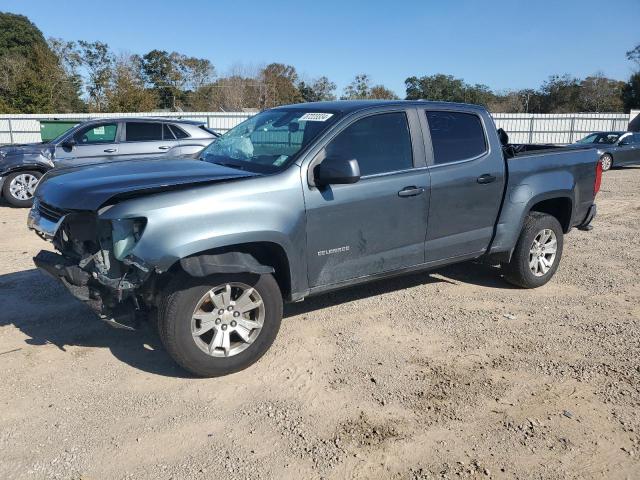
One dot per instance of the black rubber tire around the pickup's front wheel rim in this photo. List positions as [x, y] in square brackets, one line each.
[174, 323]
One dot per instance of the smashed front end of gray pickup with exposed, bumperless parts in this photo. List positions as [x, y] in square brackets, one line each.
[95, 261]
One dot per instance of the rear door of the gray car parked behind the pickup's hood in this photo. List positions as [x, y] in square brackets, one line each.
[147, 140]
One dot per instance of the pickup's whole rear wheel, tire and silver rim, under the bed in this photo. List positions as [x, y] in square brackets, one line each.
[537, 253]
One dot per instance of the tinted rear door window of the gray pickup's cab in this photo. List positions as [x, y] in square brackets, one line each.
[455, 136]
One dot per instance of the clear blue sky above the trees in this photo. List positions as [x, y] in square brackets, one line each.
[503, 44]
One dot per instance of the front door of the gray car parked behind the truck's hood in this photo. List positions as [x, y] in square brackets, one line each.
[94, 143]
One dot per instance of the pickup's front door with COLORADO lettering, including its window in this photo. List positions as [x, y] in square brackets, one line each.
[377, 224]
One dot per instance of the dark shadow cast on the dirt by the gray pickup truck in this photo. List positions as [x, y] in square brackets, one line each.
[47, 314]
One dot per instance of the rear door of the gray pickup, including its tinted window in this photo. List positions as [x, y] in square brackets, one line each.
[467, 183]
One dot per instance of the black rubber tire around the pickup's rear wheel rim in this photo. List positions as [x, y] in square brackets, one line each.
[518, 271]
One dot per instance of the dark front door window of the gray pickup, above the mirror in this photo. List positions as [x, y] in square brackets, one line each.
[381, 143]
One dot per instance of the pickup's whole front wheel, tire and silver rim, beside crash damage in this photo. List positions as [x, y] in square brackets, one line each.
[220, 324]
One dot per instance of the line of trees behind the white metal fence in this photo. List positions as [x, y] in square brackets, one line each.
[39, 75]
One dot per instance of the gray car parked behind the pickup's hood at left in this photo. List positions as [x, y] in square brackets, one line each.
[97, 141]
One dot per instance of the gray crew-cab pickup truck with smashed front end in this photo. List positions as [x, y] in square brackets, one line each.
[300, 200]
